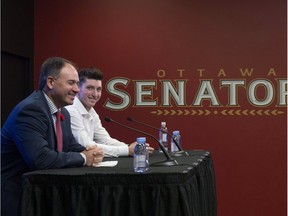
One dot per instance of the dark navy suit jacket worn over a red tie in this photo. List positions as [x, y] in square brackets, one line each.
[28, 143]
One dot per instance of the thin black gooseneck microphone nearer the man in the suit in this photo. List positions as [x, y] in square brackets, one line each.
[168, 162]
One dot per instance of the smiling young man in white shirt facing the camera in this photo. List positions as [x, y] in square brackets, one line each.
[85, 122]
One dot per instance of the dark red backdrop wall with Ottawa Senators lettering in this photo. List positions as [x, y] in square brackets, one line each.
[215, 70]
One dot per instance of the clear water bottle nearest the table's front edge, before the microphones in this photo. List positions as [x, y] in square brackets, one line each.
[141, 159]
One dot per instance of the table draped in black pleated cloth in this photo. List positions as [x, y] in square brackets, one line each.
[187, 189]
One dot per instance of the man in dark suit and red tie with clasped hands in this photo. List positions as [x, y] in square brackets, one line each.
[29, 139]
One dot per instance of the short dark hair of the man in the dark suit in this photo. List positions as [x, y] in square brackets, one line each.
[52, 67]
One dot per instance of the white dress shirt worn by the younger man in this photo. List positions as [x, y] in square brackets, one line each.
[88, 130]
